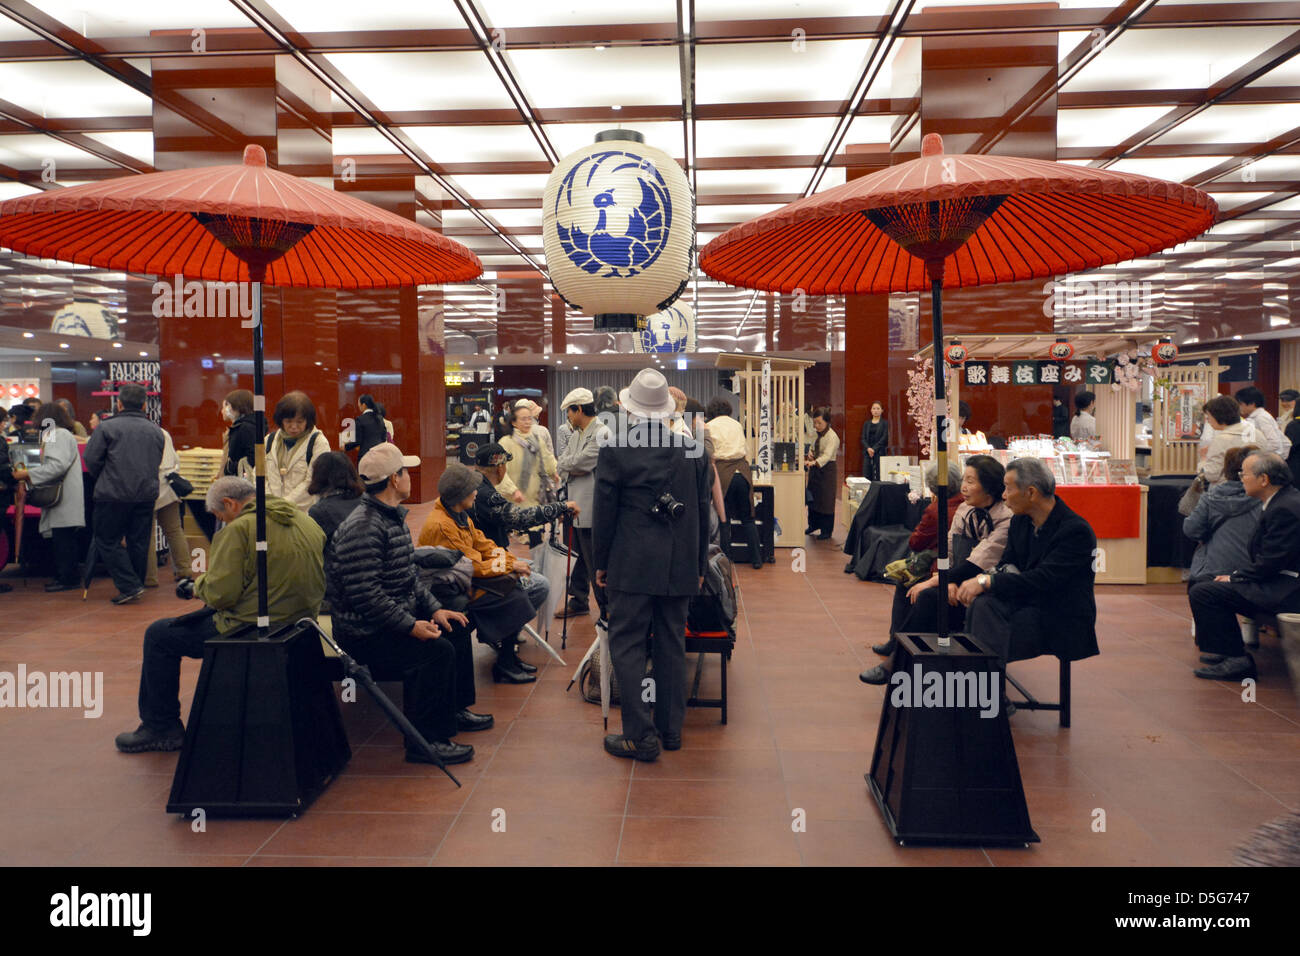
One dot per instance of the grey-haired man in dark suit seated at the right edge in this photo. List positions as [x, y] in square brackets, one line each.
[1271, 583]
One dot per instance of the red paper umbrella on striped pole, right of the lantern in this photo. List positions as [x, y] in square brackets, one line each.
[956, 222]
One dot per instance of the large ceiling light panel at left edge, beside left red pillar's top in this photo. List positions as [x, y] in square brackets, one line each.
[70, 88]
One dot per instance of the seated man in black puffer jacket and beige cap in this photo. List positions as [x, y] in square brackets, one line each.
[385, 618]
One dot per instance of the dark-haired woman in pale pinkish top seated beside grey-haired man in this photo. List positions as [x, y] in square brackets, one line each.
[976, 543]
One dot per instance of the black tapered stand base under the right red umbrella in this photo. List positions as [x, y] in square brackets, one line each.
[944, 769]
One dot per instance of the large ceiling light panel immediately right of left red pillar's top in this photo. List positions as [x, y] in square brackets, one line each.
[424, 81]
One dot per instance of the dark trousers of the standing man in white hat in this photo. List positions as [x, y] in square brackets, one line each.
[632, 617]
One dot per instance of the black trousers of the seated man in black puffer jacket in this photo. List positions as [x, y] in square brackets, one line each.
[428, 676]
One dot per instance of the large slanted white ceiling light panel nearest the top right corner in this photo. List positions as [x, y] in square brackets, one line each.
[1173, 59]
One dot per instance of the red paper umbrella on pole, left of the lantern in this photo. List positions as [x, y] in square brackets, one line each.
[231, 224]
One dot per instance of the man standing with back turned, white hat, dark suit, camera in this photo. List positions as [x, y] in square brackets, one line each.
[651, 546]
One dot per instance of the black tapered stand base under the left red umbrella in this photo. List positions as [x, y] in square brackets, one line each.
[266, 736]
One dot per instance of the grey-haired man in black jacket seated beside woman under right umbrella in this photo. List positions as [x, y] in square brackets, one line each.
[1039, 600]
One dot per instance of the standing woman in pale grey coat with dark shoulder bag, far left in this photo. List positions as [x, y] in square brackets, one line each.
[60, 464]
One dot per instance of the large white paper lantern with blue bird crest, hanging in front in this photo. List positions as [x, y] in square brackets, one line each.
[618, 228]
